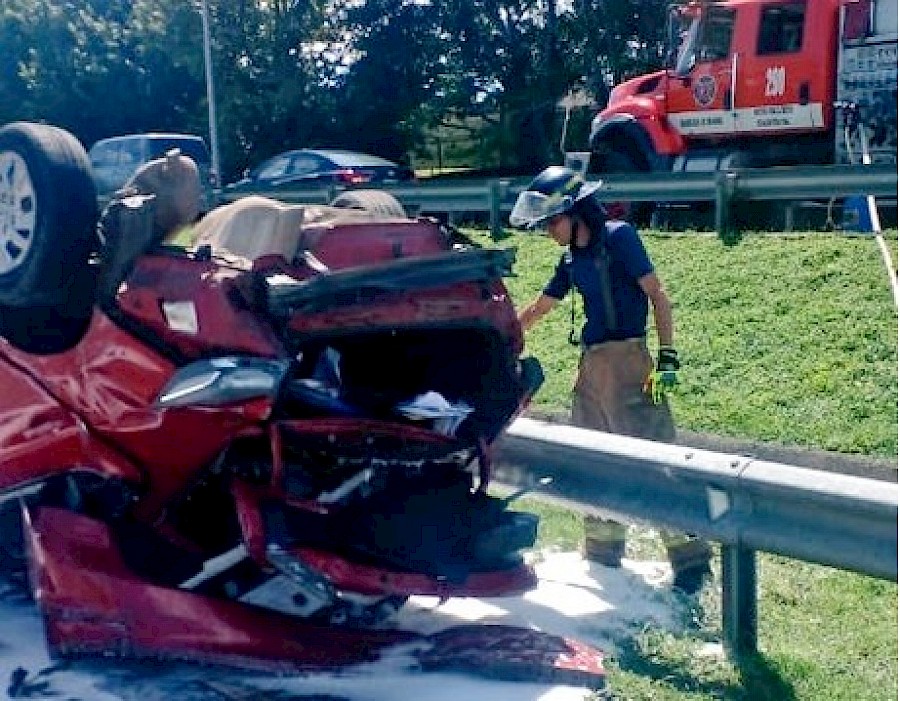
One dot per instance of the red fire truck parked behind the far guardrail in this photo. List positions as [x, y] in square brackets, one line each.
[757, 83]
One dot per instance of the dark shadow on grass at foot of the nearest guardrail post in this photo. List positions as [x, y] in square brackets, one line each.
[759, 680]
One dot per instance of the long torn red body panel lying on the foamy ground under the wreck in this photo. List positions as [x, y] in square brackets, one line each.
[93, 604]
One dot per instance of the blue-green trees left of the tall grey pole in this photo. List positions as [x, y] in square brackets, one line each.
[98, 68]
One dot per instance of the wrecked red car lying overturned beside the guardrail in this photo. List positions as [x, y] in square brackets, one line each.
[253, 449]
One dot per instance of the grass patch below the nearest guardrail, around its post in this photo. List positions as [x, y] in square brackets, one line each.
[824, 634]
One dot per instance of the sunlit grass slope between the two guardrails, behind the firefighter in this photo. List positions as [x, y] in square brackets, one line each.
[790, 339]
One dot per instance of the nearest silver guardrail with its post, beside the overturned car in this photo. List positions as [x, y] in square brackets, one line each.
[747, 505]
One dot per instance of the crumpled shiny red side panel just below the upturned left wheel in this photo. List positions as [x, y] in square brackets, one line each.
[108, 382]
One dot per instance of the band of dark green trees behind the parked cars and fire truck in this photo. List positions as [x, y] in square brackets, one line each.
[377, 75]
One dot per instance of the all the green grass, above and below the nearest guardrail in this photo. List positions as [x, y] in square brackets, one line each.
[791, 339]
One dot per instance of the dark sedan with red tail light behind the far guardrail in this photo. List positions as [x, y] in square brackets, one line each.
[320, 167]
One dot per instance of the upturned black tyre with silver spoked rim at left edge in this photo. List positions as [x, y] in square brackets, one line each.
[48, 215]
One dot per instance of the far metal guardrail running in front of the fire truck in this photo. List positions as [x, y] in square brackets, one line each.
[495, 197]
